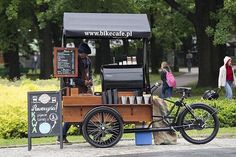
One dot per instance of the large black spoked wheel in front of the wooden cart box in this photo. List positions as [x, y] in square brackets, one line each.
[102, 127]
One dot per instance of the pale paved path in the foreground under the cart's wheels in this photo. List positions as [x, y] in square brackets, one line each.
[126, 148]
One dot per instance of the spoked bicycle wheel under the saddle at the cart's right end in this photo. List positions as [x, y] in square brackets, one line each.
[201, 124]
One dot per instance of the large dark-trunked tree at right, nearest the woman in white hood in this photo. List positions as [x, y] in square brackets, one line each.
[199, 13]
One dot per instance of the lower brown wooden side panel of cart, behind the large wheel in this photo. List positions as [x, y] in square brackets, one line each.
[129, 113]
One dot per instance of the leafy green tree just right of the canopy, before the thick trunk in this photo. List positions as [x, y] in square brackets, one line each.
[169, 29]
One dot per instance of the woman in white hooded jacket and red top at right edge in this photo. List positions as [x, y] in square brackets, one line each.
[226, 77]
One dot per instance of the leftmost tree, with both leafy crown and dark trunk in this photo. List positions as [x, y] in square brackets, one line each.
[15, 32]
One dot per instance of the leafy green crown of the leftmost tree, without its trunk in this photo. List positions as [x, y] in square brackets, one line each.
[15, 22]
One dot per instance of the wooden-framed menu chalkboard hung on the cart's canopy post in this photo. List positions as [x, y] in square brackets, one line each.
[65, 62]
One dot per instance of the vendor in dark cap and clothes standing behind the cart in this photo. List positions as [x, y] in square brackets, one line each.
[84, 80]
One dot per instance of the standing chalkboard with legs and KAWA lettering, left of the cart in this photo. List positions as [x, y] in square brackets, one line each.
[44, 115]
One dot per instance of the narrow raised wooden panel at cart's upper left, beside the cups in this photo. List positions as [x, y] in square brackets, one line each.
[81, 100]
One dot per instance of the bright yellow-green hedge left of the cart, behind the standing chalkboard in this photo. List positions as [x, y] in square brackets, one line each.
[13, 104]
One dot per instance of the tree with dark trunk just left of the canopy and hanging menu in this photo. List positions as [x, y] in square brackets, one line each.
[48, 18]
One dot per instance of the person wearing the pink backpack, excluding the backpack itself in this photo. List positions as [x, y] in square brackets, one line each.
[165, 87]
